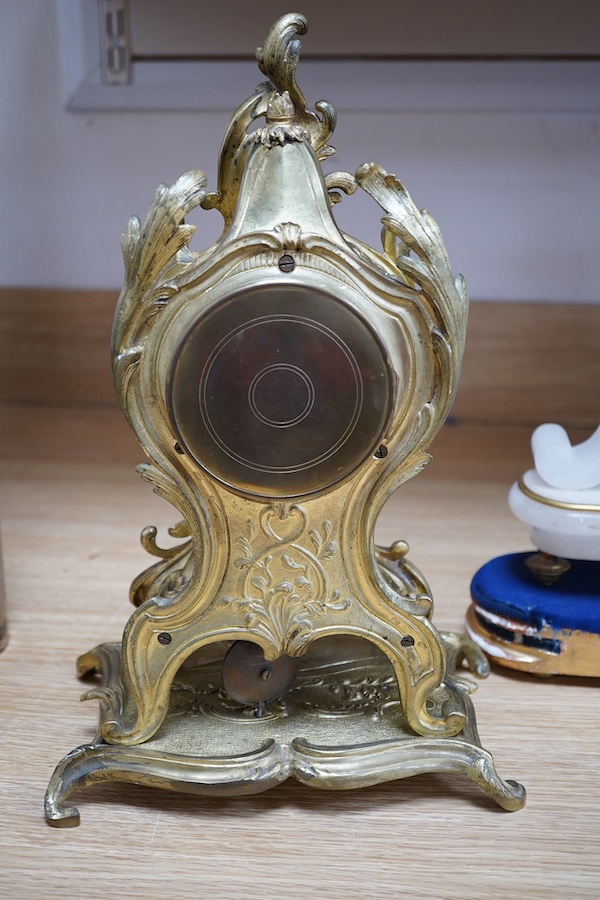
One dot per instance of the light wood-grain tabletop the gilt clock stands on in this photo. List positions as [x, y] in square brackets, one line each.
[72, 509]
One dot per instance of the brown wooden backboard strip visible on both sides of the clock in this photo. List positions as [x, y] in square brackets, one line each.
[525, 363]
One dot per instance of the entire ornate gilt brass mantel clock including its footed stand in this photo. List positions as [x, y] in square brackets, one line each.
[283, 383]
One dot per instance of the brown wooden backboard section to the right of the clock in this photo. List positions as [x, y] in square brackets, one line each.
[528, 363]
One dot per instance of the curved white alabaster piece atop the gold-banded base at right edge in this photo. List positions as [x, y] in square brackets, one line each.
[563, 466]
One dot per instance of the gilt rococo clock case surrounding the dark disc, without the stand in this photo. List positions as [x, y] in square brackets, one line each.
[417, 310]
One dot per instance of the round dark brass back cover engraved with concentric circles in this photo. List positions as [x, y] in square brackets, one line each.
[280, 390]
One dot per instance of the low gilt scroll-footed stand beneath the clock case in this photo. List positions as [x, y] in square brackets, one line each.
[340, 726]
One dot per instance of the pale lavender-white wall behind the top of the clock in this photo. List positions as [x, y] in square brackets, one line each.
[517, 194]
